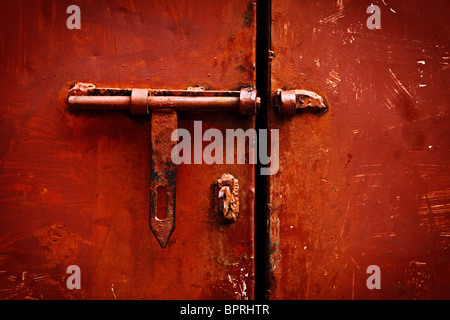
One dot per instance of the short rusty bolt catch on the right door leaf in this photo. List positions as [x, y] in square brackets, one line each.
[289, 101]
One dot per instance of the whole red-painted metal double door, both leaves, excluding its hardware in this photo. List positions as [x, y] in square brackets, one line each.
[364, 183]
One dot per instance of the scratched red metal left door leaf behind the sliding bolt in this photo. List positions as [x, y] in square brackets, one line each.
[74, 187]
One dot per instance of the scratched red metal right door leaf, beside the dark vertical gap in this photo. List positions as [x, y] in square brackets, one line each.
[366, 183]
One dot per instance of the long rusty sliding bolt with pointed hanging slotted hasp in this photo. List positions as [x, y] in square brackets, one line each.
[162, 105]
